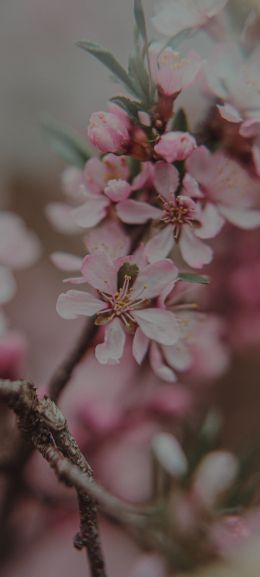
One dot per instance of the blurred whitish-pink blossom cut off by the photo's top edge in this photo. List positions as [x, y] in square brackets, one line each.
[174, 16]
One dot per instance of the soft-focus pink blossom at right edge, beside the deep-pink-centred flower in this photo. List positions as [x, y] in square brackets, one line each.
[227, 192]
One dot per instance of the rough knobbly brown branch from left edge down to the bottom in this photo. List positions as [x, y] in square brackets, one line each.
[43, 423]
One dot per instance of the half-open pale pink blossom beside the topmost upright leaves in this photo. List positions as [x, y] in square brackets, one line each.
[171, 72]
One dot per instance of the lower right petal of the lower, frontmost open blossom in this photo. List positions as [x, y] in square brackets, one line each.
[158, 325]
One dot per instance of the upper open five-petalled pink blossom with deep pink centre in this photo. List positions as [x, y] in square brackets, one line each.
[179, 219]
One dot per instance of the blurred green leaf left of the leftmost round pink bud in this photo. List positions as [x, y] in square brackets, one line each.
[65, 143]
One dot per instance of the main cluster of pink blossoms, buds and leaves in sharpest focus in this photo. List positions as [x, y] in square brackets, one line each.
[148, 204]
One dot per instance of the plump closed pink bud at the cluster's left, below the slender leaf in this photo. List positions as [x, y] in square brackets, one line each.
[108, 131]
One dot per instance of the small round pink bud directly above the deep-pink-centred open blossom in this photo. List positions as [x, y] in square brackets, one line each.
[174, 146]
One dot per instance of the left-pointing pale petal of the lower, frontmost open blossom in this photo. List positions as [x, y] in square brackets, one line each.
[74, 303]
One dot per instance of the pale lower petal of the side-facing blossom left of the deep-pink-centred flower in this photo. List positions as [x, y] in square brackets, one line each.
[92, 212]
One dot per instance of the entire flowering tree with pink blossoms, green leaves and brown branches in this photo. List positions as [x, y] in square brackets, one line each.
[148, 208]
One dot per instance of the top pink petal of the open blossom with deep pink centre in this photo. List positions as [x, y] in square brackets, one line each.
[166, 179]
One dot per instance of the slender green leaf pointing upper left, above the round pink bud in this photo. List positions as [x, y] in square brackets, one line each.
[106, 58]
